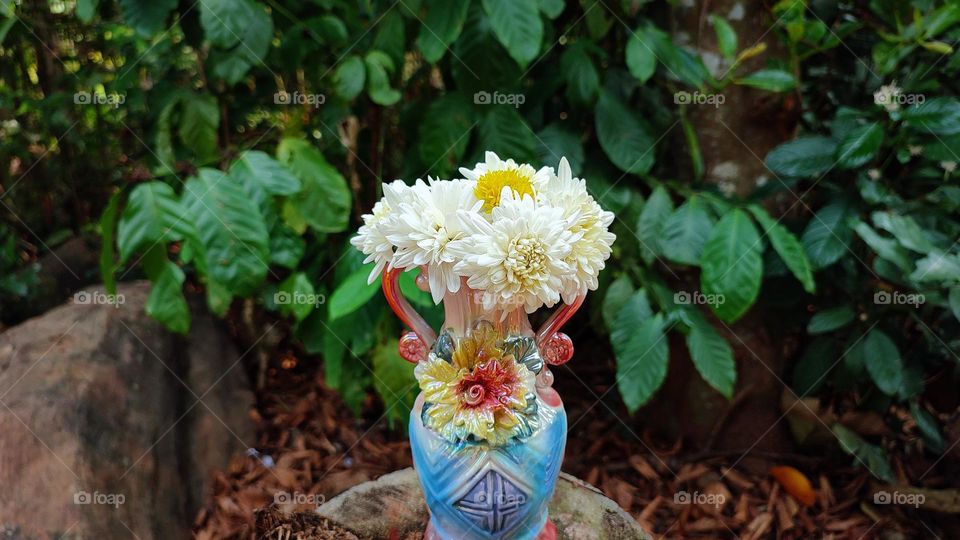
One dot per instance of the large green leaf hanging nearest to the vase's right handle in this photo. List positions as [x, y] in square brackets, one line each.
[640, 347]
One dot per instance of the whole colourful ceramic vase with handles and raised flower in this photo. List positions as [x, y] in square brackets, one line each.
[487, 430]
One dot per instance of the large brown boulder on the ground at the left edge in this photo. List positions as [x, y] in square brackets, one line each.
[110, 424]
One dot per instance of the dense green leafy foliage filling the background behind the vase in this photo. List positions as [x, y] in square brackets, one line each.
[227, 148]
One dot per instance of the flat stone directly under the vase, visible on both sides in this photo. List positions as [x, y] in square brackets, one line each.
[393, 507]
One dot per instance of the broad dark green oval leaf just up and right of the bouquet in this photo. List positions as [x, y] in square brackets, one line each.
[624, 137]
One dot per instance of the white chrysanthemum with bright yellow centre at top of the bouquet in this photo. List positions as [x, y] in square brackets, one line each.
[494, 174]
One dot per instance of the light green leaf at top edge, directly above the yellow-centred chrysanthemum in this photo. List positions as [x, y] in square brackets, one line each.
[518, 26]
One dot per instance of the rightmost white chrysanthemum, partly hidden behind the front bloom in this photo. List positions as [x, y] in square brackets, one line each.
[588, 221]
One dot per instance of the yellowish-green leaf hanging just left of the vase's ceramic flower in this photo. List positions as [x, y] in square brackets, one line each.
[394, 381]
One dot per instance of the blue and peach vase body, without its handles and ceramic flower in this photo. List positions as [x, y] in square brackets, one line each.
[497, 488]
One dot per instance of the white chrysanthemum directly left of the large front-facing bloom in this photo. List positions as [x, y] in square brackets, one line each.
[422, 228]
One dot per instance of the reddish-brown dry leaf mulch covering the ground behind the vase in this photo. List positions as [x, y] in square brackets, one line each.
[311, 448]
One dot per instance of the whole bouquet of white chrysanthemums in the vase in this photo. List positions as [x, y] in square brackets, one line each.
[519, 235]
